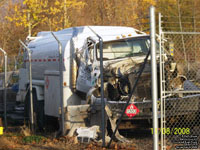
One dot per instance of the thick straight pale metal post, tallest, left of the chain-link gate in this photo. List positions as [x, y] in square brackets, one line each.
[154, 77]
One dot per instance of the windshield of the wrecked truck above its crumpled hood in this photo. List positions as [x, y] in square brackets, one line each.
[125, 48]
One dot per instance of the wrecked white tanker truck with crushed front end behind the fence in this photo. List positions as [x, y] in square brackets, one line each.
[124, 51]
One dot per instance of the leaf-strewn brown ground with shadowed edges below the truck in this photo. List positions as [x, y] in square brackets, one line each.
[17, 137]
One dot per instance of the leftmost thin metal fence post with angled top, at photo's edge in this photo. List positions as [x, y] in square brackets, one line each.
[5, 87]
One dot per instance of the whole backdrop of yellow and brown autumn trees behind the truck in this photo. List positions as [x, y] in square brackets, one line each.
[20, 18]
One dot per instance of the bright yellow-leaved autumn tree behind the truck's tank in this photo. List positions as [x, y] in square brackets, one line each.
[47, 14]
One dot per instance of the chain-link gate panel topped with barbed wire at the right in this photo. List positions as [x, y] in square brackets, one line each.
[179, 83]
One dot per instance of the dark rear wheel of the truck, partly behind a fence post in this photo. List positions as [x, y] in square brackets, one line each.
[38, 111]
